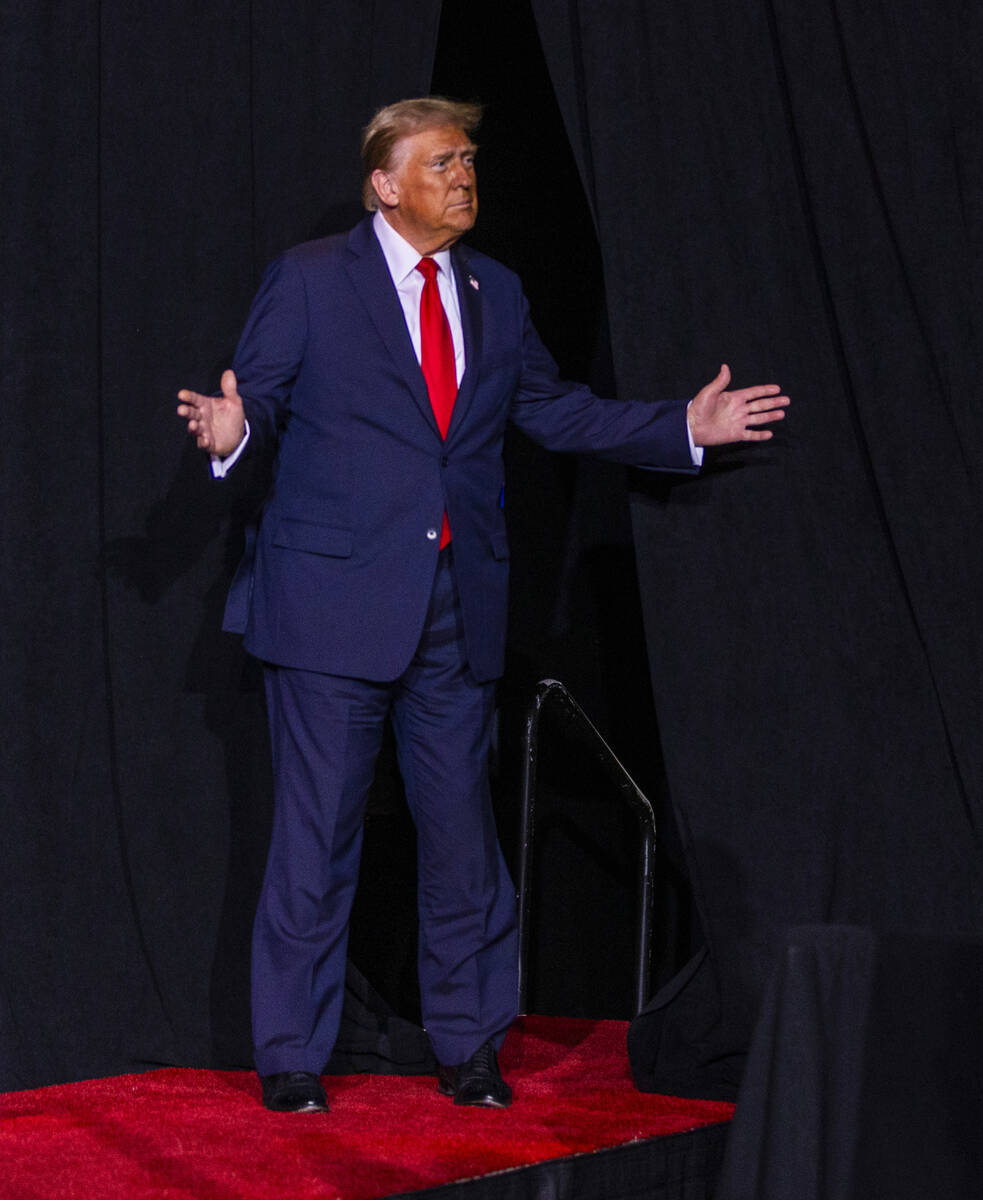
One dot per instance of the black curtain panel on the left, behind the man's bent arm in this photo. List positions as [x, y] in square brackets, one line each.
[155, 159]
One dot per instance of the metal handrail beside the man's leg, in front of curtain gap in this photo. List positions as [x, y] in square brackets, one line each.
[554, 692]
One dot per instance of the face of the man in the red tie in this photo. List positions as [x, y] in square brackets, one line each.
[430, 194]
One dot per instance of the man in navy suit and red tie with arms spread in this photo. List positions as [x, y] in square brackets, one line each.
[380, 369]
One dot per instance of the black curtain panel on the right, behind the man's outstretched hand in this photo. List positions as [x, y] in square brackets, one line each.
[796, 189]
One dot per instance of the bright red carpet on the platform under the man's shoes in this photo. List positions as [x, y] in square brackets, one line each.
[205, 1135]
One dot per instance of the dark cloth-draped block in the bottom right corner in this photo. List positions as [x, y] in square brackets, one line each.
[862, 1075]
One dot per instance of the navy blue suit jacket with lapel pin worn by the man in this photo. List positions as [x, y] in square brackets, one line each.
[339, 575]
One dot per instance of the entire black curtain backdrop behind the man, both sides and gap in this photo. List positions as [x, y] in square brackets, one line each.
[793, 188]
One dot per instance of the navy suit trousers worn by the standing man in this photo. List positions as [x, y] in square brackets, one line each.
[327, 733]
